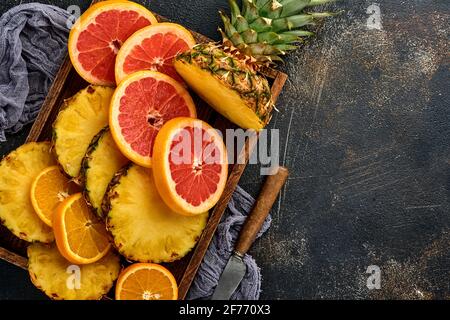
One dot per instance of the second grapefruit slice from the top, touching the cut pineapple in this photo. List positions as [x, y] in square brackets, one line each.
[153, 48]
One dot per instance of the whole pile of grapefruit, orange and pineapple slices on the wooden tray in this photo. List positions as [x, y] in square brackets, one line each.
[129, 170]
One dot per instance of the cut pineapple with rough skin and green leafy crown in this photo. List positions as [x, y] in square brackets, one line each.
[226, 76]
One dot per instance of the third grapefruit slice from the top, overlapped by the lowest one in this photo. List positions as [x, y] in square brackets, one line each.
[141, 104]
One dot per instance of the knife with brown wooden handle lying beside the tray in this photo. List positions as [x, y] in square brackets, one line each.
[235, 269]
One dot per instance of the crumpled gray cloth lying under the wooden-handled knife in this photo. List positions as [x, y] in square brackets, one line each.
[220, 251]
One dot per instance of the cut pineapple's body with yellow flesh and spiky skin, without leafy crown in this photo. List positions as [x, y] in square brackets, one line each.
[228, 83]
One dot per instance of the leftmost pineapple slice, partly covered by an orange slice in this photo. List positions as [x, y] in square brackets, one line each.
[17, 172]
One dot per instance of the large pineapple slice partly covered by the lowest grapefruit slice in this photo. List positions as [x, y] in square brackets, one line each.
[143, 227]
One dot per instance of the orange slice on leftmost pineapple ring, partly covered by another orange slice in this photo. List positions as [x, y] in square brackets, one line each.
[48, 190]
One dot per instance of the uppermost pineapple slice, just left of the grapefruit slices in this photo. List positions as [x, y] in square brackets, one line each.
[83, 116]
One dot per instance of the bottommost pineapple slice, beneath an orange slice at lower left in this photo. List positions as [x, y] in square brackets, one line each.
[59, 280]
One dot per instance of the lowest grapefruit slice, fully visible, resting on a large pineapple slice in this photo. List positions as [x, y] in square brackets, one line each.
[190, 165]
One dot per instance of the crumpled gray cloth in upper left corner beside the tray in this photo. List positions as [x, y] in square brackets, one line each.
[33, 43]
